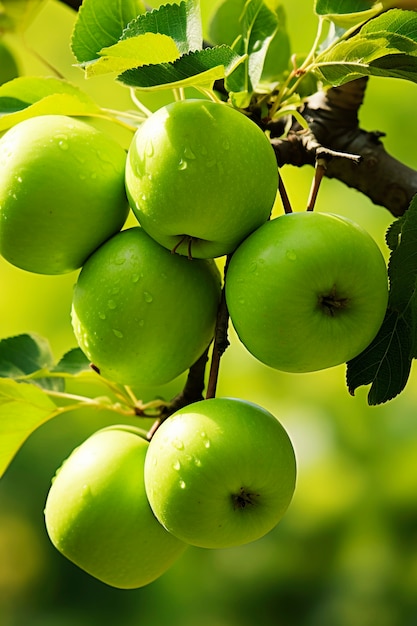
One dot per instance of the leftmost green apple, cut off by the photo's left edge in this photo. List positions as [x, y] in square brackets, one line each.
[61, 193]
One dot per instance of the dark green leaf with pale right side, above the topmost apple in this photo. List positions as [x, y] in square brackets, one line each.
[181, 22]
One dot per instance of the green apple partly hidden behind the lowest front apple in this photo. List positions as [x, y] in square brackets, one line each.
[98, 516]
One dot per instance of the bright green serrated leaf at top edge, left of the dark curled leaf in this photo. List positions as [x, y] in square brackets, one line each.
[100, 23]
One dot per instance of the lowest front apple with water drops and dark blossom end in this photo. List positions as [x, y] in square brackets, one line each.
[220, 473]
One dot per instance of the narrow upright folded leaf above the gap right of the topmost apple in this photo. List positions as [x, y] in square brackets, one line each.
[259, 25]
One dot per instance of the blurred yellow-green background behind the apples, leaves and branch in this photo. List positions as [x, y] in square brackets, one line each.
[346, 552]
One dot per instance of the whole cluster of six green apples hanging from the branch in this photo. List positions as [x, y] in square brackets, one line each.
[305, 291]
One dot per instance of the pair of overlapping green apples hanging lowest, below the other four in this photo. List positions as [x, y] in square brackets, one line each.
[218, 473]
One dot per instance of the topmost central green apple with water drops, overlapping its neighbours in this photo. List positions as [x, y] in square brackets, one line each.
[200, 176]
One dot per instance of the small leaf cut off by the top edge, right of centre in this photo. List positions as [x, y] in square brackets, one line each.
[347, 13]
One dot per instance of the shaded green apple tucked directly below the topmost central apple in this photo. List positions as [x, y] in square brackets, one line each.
[141, 314]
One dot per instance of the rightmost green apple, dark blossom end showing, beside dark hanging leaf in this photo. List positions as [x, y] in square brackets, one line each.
[276, 282]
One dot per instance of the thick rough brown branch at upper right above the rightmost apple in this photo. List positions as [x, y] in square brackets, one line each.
[334, 131]
